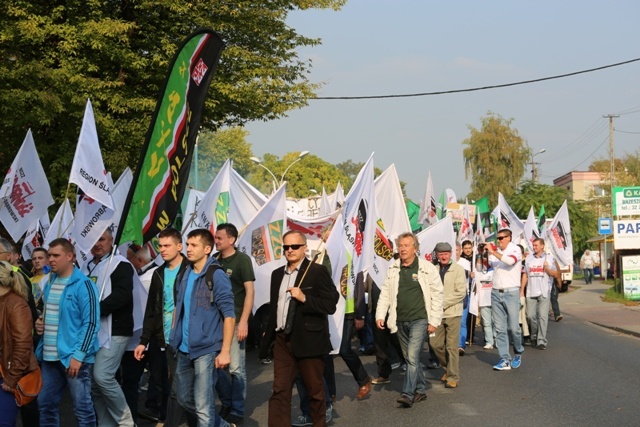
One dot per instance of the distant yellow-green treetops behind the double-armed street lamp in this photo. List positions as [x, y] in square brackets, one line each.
[310, 173]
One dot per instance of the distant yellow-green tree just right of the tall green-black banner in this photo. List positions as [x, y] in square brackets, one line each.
[214, 148]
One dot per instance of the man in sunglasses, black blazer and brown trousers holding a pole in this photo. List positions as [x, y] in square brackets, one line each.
[302, 296]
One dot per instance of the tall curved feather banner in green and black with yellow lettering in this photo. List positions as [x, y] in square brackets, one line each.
[163, 170]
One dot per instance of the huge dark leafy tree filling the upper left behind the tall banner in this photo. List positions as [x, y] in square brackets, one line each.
[56, 54]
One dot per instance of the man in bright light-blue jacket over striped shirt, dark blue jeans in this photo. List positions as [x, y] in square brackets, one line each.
[69, 325]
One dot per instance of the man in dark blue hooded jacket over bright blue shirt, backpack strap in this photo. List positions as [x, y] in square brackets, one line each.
[202, 336]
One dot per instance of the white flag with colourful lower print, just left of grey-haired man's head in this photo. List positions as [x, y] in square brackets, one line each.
[391, 220]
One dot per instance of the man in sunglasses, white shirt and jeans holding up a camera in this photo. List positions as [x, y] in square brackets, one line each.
[505, 299]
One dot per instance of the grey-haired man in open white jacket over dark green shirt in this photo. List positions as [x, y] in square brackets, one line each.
[412, 295]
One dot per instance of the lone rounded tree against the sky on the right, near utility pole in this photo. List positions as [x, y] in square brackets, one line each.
[495, 157]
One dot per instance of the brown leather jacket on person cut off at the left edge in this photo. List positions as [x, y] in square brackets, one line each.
[16, 344]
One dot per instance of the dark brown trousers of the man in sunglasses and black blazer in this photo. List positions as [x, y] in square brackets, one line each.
[285, 368]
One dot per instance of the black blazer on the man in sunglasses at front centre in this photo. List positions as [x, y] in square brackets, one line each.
[310, 334]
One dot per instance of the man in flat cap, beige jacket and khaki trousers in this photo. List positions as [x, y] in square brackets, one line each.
[445, 343]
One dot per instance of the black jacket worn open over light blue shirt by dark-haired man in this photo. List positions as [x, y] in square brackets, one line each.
[153, 324]
